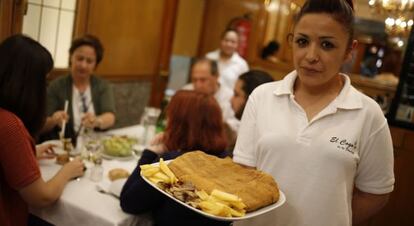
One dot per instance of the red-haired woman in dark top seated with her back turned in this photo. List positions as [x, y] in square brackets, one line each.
[194, 122]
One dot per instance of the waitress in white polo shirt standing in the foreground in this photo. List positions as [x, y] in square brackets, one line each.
[326, 144]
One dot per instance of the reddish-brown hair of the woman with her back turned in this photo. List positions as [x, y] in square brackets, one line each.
[194, 122]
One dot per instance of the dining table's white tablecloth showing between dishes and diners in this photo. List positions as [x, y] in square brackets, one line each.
[84, 201]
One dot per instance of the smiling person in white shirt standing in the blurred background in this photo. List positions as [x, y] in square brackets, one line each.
[230, 63]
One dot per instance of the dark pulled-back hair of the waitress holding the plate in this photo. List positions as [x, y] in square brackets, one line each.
[341, 10]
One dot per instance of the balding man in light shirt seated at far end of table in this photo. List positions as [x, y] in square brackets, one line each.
[205, 79]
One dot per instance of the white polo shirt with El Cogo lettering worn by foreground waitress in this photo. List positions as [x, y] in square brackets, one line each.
[317, 163]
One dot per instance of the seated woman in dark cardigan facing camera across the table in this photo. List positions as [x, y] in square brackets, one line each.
[91, 101]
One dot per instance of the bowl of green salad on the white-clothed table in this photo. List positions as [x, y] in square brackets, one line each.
[118, 147]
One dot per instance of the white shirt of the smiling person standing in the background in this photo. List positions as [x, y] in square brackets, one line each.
[229, 70]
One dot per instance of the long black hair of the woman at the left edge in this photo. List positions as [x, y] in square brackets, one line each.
[23, 69]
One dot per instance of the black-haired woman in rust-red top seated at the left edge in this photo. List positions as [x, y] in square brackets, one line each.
[23, 69]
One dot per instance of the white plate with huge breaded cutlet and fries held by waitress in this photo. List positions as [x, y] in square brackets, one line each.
[192, 180]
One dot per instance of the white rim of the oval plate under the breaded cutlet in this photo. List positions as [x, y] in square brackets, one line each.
[281, 201]
